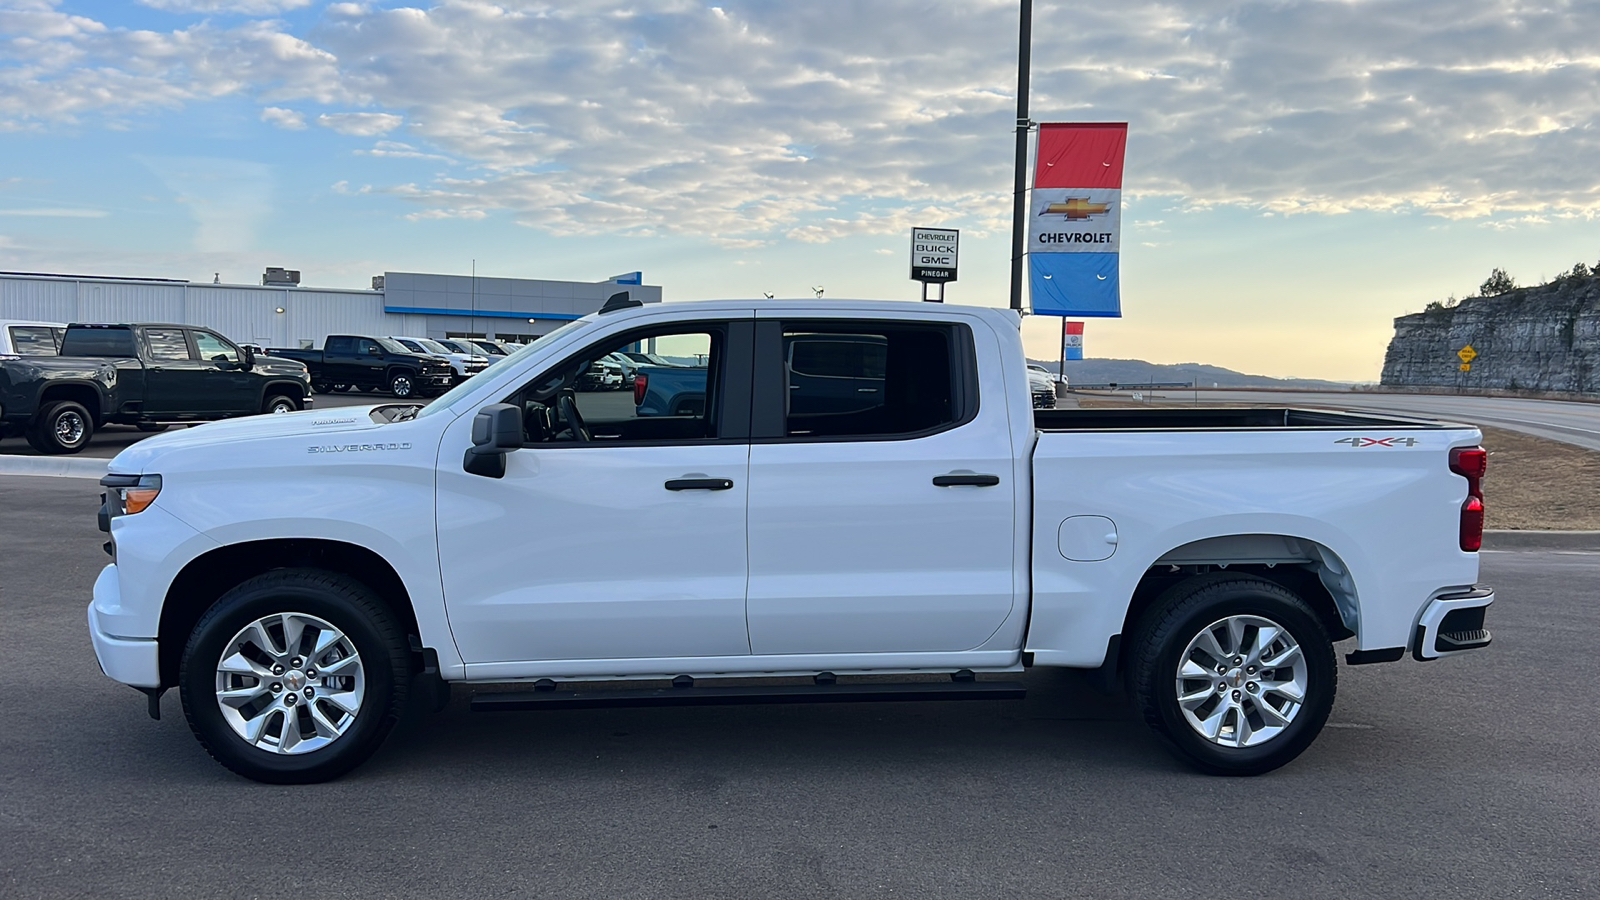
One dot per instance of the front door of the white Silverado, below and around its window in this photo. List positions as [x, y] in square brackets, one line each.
[626, 545]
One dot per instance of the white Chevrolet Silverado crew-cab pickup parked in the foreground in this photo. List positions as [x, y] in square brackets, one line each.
[879, 499]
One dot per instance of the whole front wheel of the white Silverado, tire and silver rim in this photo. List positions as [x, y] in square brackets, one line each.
[295, 677]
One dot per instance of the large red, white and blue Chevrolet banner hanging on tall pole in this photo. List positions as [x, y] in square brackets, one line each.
[1076, 220]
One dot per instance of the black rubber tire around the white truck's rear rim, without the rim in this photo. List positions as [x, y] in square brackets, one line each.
[1223, 601]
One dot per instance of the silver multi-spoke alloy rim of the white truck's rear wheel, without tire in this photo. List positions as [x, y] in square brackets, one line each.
[1241, 681]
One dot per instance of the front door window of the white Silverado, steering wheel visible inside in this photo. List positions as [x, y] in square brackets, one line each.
[666, 392]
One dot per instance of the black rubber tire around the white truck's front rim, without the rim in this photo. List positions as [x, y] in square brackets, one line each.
[345, 605]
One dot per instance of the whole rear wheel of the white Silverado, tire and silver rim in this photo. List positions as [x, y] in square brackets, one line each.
[1236, 673]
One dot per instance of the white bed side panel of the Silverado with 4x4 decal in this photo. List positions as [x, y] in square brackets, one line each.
[1390, 513]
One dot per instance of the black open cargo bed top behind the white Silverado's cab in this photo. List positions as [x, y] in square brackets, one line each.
[1215, 419]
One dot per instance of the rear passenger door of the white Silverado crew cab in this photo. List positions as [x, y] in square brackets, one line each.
[854, 548]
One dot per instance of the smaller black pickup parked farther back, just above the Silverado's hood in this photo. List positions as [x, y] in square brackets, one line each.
[372, 364]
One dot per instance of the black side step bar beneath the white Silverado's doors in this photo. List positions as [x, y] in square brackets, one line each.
[503, 702]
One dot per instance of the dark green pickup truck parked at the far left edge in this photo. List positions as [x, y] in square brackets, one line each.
[145, 376]
